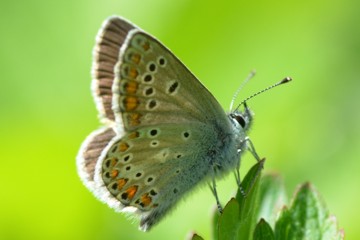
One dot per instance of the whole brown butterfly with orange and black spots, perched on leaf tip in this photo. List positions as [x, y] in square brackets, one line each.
[164, 133]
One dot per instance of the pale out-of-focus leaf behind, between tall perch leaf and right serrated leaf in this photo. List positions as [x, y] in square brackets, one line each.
[272, 197]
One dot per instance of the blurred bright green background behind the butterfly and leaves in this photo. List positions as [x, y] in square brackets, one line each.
[308, 130]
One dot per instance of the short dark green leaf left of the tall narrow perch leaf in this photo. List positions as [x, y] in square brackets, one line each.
[229, 221]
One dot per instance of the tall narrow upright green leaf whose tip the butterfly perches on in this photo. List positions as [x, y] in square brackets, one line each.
[248, 203]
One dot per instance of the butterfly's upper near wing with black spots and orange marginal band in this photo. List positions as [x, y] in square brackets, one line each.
[152, 86]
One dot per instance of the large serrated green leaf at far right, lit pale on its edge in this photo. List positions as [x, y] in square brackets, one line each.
[307, 218]
